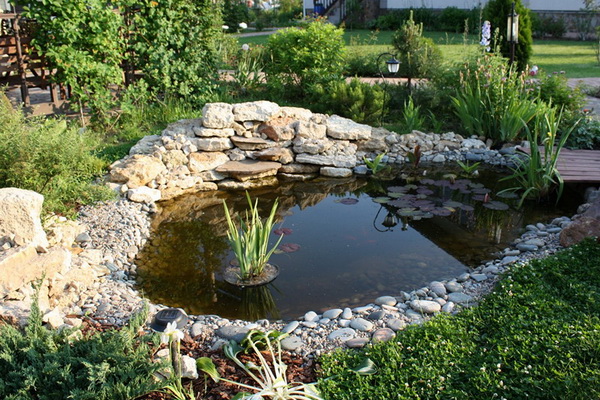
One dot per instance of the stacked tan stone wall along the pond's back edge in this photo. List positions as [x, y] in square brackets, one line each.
[247, 145]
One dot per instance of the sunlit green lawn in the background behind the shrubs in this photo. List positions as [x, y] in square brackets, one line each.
[576, 58]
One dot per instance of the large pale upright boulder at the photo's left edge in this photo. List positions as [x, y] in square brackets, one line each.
[20, 216]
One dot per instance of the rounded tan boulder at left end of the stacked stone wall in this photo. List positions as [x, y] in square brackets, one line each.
[137, 170]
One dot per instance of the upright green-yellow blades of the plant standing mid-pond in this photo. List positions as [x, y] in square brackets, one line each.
[250, 243]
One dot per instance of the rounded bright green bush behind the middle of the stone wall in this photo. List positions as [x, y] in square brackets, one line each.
[301, 57]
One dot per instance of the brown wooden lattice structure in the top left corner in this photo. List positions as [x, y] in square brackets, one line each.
[20, 65]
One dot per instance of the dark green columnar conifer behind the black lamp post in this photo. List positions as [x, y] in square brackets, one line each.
[496, 12]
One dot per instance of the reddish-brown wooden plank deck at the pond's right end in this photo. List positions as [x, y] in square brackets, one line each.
[578, 166]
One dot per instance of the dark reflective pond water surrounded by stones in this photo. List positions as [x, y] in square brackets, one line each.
[346, 242]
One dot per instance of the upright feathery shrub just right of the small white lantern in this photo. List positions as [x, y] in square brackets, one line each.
[418, 55]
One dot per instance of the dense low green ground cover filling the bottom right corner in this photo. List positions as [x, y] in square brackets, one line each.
[536, 336]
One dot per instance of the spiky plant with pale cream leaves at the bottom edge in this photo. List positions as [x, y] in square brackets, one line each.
[270, 375]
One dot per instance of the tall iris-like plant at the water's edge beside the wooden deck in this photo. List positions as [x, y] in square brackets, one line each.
[537, 175]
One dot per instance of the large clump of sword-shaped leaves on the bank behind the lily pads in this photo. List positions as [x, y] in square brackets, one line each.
[494, 100]
